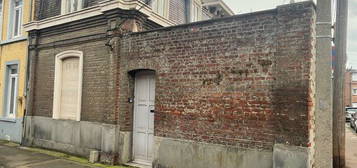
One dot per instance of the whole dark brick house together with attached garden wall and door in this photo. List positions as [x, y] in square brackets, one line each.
[230, 92]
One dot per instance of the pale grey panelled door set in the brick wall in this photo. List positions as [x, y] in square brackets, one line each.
[143, 118]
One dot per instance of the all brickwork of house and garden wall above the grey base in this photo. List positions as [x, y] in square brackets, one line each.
[244, 81]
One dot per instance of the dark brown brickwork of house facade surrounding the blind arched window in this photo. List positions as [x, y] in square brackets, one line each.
[98, 96]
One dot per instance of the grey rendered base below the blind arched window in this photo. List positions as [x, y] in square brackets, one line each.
[73, 136]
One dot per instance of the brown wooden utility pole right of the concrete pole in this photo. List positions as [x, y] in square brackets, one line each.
[338, 94]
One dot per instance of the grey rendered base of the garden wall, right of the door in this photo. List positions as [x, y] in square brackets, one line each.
[175, 153]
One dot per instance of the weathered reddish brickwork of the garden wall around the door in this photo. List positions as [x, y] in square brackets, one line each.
[243, 80]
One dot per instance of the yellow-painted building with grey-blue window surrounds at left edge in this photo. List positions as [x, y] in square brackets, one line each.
[13, 62]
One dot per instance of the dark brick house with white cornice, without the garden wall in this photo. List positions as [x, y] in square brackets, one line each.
[72, 104]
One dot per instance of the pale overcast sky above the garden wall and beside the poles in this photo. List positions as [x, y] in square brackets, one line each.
[244, 6]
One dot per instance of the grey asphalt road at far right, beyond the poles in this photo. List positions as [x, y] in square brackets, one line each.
[351, 147]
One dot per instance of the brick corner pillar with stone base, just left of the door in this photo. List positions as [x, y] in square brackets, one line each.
[120, 24]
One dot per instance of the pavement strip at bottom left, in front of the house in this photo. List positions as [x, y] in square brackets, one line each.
[15, 156]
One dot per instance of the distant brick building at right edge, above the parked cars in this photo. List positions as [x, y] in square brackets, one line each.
[351, 88]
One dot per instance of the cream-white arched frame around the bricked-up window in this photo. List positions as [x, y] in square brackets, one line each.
[58, 82]
